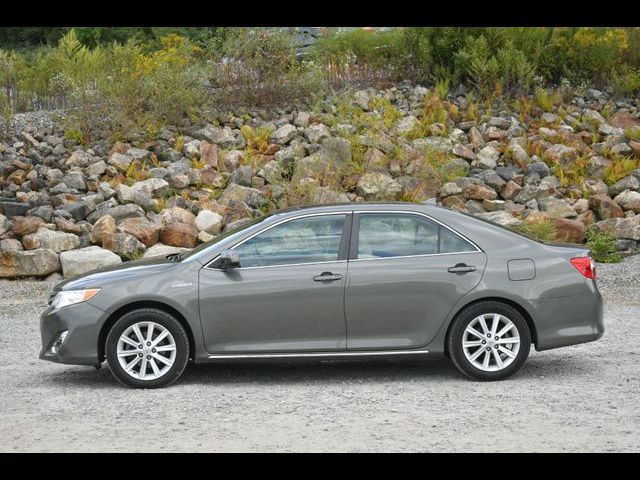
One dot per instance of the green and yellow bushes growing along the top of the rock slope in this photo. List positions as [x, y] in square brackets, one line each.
[140, 77]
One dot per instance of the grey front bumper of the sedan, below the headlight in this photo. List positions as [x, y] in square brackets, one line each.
[82, 323]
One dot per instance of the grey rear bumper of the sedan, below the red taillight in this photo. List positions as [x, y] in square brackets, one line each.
[570, 320]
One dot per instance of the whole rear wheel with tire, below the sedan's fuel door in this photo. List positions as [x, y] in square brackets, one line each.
[489, 341]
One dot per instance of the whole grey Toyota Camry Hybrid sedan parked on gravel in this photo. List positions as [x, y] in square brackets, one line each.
[328, 282]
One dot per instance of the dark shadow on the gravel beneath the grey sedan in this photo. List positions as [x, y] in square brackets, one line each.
[274, 372]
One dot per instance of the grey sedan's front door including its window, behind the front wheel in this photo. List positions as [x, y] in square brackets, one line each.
[288, 293]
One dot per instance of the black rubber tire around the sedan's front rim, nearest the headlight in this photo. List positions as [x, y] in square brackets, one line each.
[159, 317]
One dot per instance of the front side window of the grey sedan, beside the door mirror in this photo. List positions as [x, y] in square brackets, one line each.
[304, 240]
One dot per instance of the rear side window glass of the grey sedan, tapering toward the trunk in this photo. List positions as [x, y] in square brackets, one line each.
[382, 235]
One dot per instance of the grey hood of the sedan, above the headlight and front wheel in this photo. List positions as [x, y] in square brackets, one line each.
[95, 278]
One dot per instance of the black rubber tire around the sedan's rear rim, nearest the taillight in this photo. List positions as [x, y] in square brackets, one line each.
[464, 318]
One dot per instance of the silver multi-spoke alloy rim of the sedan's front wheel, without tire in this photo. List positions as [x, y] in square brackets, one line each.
[146, 350]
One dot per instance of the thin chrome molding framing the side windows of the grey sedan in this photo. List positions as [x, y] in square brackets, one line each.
[348, 212]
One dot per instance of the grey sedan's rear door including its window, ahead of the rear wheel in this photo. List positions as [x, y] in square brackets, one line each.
[406, 272]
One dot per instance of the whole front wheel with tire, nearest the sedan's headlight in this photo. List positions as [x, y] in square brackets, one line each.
[147, 348]
